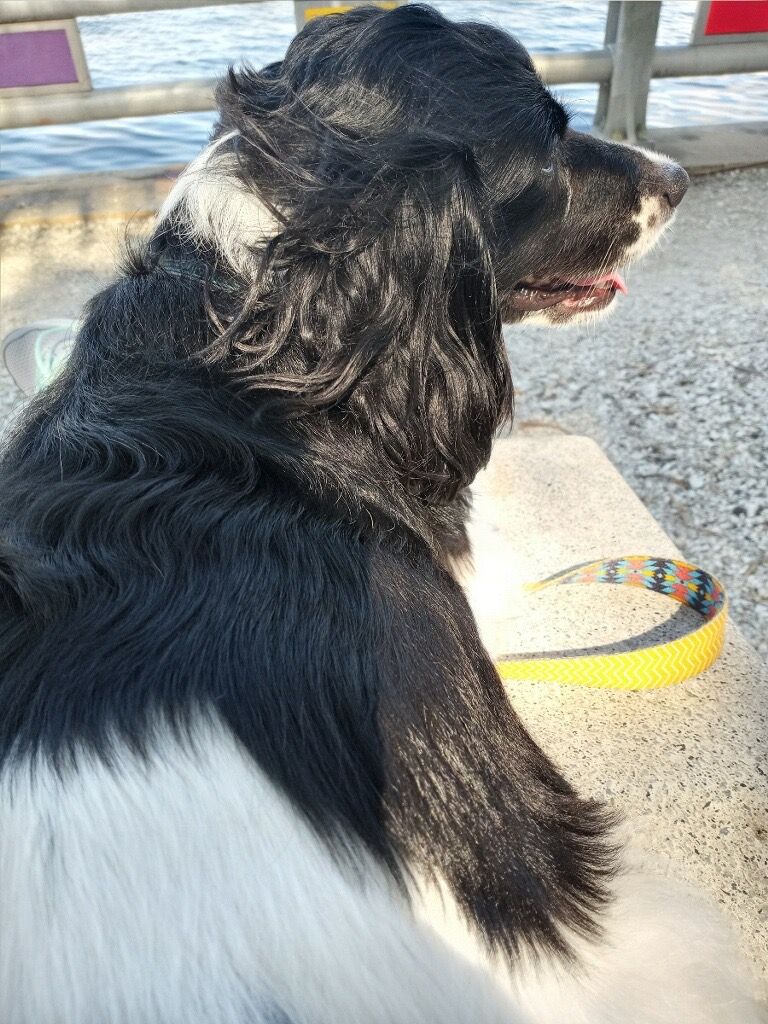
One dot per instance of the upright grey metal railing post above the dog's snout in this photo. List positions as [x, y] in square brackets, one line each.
[631, 34]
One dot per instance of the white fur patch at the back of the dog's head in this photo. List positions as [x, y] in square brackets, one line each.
[211, 205]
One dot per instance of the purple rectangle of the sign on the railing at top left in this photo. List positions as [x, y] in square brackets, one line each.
[41, 58]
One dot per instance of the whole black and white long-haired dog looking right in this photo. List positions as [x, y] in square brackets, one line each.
[258, 767]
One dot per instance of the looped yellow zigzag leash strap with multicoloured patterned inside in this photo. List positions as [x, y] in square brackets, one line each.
[647, 668]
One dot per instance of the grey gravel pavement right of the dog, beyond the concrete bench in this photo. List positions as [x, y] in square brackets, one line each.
[674, 386]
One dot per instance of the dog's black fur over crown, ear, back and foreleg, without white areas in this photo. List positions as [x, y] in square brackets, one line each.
[241, 494]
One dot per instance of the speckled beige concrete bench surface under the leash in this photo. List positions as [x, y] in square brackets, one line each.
[686, 765]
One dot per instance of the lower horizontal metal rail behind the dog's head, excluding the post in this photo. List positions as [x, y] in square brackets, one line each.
[197, 95]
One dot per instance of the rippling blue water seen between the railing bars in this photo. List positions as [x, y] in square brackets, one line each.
[130, 50]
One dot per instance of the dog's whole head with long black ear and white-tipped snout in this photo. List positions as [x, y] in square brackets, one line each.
[387, 196]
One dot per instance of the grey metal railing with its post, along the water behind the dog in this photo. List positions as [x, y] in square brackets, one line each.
[623, 67]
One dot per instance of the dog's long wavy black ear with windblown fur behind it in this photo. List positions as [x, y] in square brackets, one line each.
[375, 303]
